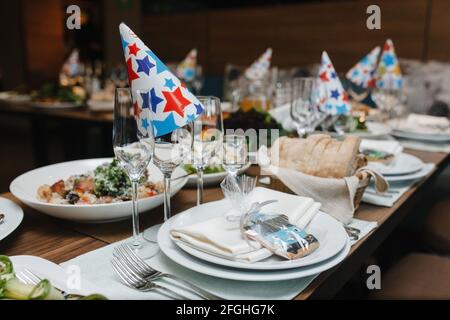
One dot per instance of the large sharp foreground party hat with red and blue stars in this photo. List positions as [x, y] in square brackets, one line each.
[164, 103]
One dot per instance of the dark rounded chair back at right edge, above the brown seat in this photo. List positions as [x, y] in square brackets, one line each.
[437, 227]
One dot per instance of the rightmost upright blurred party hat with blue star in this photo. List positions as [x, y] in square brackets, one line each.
[388, 74]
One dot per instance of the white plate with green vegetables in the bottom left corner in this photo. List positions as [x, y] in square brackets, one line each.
[58, 276]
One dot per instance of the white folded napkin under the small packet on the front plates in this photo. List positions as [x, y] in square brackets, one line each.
[223, 238]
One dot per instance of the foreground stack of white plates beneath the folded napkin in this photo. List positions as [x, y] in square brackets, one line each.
[334, 247]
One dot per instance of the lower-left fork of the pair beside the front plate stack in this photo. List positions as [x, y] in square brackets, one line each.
[133, 280]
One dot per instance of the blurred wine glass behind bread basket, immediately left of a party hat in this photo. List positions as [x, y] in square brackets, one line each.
[303, 104]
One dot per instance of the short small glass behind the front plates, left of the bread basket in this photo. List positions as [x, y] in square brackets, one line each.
[234, 153]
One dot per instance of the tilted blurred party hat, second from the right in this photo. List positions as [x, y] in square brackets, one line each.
[362, 73]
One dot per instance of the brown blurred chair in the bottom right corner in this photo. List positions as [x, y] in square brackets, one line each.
[417, 276]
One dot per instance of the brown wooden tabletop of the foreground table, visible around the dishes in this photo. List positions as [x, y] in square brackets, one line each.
[59, 240]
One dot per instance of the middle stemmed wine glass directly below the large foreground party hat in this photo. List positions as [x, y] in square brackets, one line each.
[170, 151]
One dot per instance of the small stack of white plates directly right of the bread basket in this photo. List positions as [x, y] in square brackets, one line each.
[404, 167]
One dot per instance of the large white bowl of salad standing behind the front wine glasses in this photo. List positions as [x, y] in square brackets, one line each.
[92, 190]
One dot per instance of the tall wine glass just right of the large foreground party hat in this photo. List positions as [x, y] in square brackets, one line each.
[207, 131]
